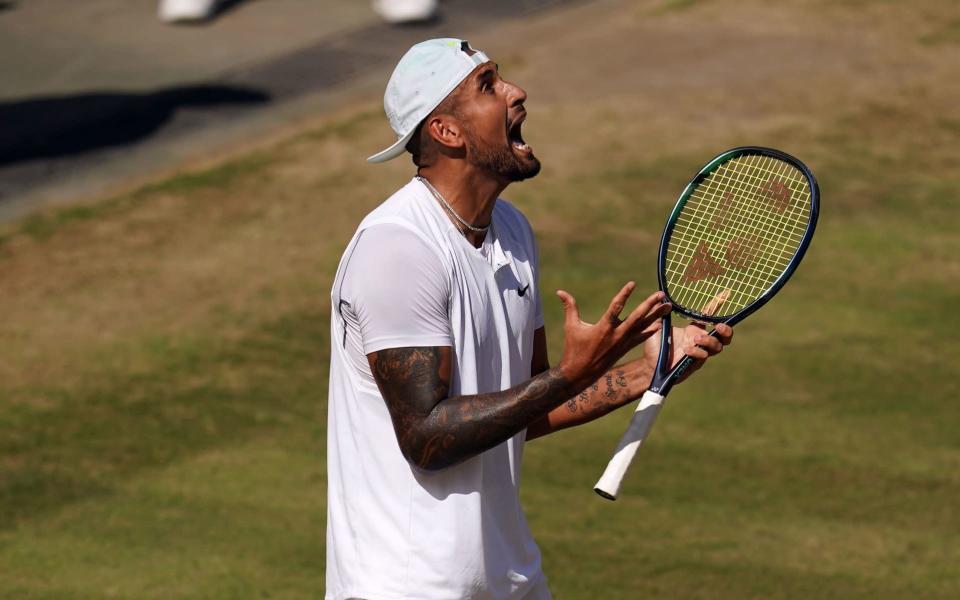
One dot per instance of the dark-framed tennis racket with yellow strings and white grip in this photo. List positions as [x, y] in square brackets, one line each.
[736, 235]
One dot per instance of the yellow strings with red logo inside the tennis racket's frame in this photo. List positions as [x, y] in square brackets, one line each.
[737, 233]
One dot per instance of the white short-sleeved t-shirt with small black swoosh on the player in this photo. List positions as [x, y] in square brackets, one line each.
[410, 278]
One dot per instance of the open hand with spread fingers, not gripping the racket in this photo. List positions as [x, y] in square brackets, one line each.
[591, 349]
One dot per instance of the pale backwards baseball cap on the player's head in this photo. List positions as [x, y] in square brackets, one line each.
[426, 74]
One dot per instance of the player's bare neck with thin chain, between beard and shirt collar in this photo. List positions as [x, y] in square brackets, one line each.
[470, 193]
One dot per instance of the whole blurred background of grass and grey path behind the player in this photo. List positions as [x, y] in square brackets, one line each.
[175, 193]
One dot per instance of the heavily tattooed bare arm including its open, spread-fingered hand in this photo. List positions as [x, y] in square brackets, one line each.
[435, 430]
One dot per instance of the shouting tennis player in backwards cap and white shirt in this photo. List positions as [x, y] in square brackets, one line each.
[439, 370]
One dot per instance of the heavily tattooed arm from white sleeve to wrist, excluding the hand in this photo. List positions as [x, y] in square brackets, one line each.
[435, 430]
